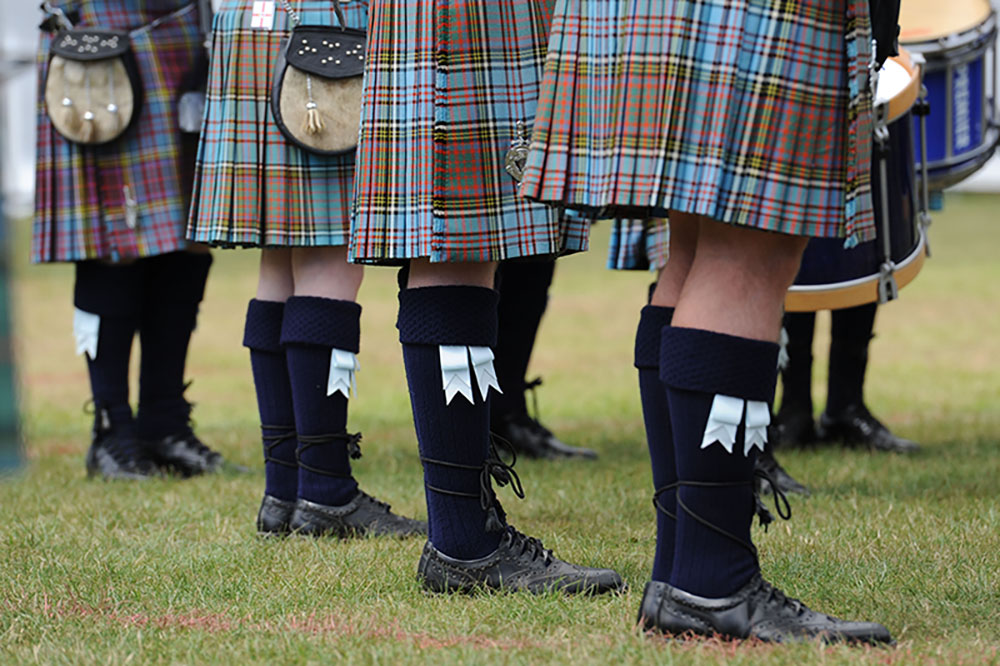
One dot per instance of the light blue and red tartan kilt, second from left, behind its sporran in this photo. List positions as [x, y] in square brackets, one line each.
[253, 187]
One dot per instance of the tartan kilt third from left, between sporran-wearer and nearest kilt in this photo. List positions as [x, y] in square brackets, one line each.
[450, 87]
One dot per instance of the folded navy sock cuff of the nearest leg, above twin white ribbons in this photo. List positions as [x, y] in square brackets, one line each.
[709, 362]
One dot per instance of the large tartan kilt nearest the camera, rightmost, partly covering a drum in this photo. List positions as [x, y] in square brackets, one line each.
[752, 112]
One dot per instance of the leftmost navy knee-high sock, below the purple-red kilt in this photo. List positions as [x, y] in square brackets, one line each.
[113, 293]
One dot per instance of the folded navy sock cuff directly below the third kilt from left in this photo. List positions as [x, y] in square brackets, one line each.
[453, 315]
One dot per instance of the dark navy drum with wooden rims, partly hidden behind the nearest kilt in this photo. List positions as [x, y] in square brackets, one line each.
[831, 277]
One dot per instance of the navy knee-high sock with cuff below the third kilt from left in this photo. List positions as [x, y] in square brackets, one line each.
[453, 438]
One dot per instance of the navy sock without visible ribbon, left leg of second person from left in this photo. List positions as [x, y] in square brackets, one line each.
[262, 336]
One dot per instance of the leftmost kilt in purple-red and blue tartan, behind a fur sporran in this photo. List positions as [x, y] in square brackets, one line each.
[81, 191]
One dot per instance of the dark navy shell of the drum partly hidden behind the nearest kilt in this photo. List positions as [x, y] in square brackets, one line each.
[827, 263]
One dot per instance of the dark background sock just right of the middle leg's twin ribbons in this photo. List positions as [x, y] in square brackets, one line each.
[524, 295]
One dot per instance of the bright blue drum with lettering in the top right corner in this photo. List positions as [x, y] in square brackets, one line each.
[957, 39]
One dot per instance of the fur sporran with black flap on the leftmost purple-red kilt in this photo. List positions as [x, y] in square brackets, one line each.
[92, 89]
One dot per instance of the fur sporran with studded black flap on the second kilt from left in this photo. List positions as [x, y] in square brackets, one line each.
[316, 95]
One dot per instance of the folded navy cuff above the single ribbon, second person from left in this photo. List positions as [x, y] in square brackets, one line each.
[323, 322]
